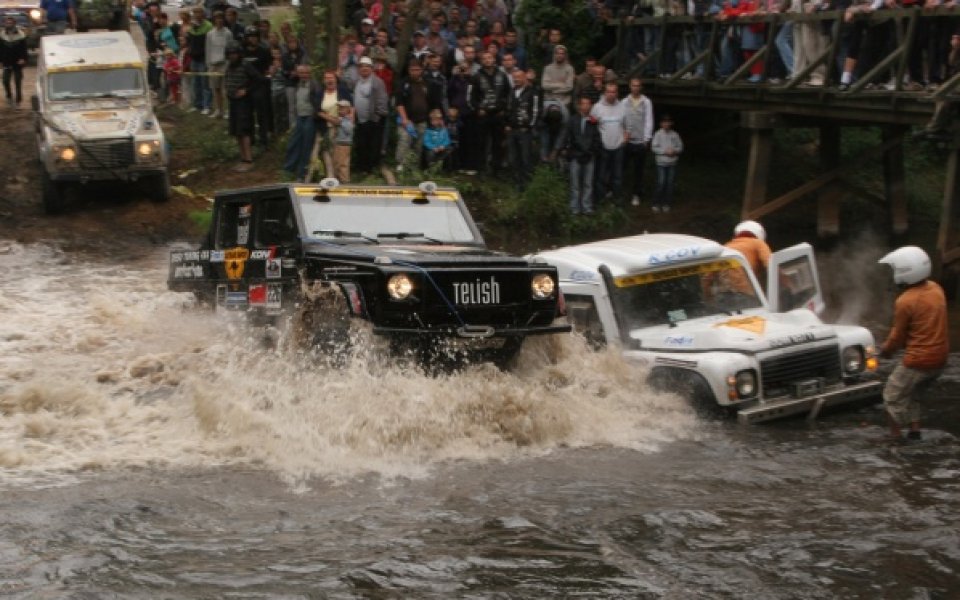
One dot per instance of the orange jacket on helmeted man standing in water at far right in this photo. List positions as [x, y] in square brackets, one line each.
[920, 326]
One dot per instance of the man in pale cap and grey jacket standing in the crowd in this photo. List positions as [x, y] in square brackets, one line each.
[371, 104]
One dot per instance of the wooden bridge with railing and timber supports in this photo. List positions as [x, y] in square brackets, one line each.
[766, 107]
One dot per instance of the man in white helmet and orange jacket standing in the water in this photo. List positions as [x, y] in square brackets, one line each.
[920, 328]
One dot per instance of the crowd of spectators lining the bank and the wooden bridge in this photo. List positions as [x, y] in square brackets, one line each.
[465, 95]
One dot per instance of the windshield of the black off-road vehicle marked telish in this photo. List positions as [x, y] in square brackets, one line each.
[386, 219]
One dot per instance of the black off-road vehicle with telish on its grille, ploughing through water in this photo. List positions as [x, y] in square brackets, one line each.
[408, 260]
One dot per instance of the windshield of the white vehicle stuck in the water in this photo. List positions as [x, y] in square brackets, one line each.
[720, 287]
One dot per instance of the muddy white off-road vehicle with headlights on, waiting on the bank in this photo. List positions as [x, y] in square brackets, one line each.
[94, 118]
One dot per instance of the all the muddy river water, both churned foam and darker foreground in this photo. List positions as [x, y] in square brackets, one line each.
[148, 450]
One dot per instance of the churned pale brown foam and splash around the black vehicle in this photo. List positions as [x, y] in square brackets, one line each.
[101, 366]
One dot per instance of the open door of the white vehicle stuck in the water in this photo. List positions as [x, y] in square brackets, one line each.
[793, 281]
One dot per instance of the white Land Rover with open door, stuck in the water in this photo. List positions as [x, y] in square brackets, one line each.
[692, 311]
